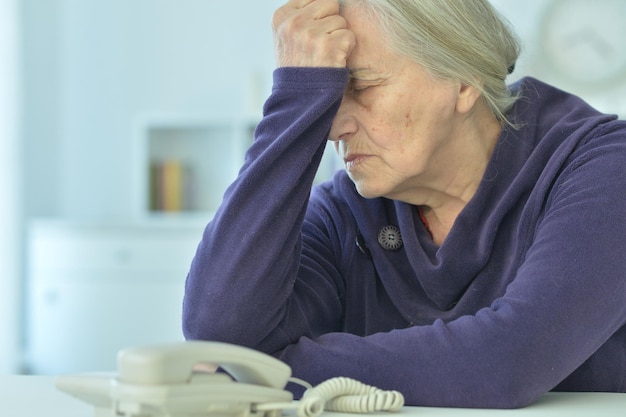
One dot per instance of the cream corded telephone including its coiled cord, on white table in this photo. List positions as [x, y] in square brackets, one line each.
[171, 380]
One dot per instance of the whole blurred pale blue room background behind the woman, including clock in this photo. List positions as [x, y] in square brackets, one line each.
[121, 124]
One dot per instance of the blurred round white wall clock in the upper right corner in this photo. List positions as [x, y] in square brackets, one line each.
[584, 42]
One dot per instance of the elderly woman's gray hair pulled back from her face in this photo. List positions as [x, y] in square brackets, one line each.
[465, 40]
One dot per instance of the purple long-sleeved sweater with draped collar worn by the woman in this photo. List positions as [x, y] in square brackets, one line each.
[526, 295]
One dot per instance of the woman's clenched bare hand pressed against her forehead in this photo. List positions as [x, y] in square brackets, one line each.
[311, 33]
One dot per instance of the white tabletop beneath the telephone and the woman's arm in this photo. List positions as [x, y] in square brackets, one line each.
[36, 396]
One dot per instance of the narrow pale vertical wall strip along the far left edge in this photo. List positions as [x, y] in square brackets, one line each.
[9, 208]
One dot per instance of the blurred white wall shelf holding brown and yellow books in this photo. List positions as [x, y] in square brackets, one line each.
[186, 164]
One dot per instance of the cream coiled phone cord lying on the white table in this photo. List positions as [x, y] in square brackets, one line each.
[342, 394]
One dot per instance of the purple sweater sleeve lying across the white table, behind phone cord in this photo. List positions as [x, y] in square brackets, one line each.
[565, 302]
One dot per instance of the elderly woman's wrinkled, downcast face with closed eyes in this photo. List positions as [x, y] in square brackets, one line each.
[397, 126]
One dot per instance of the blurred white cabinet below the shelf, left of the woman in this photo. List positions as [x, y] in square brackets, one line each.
[96, 288]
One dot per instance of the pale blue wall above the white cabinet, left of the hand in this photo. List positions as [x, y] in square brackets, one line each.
[116, 60]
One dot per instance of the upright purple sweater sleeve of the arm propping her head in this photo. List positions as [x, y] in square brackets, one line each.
[241, 280]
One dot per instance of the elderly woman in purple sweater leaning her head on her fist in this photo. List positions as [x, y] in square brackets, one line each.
[473, 251]
